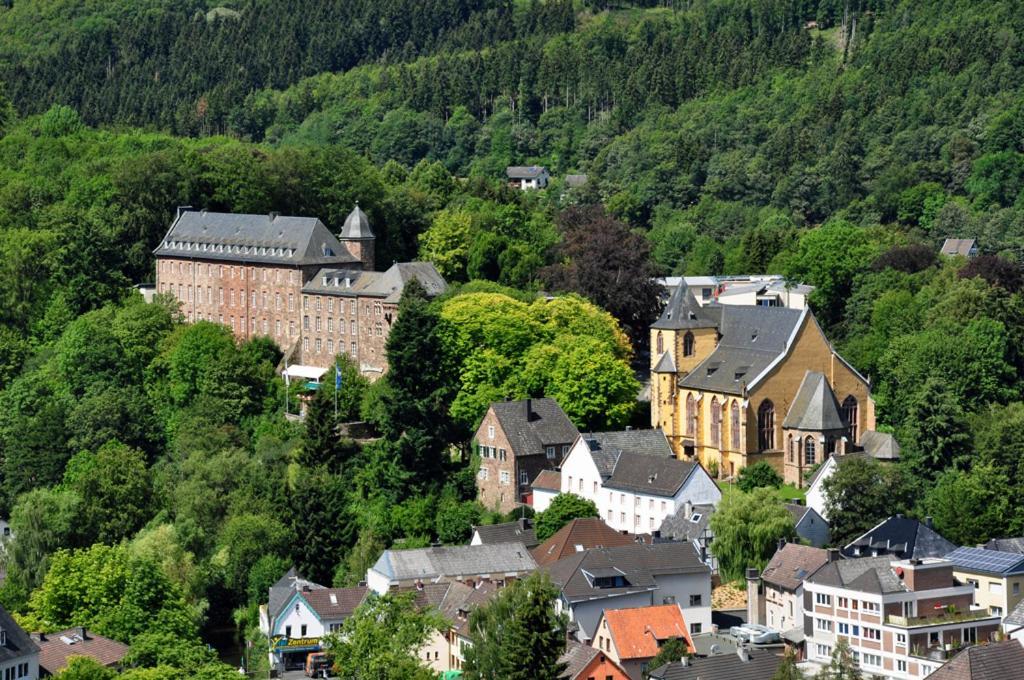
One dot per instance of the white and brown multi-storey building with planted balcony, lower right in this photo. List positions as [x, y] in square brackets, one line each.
[903, 619]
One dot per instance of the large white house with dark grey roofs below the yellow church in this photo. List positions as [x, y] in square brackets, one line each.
[634, 479]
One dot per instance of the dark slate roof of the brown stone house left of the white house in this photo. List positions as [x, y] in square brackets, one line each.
[546, 426]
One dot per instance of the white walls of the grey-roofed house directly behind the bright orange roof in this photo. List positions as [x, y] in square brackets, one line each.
[691, 591]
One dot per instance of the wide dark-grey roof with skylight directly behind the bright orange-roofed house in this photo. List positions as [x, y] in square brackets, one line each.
[638, 564]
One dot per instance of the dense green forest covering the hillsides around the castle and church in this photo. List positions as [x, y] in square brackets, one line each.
[837, 144]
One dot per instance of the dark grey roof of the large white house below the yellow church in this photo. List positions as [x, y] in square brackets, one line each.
[638, 461]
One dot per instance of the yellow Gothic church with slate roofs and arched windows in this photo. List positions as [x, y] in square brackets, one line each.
[733, 386]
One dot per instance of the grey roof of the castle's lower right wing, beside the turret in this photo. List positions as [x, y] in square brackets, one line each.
[386, 285]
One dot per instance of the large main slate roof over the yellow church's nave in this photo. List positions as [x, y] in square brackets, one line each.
[752, 338]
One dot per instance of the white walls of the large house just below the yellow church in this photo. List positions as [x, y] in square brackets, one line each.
[630, 512]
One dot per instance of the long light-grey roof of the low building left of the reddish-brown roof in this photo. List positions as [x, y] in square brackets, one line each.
[455, 562]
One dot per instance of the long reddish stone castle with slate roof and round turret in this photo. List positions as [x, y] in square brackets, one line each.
[289, 279]
